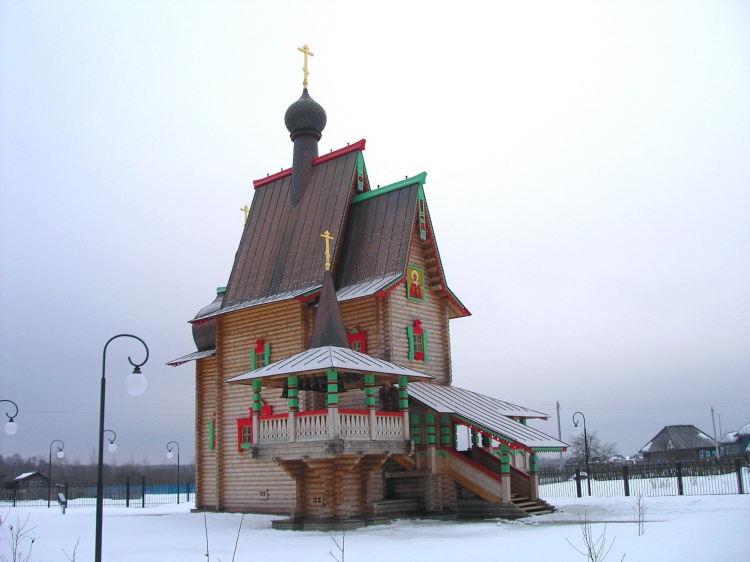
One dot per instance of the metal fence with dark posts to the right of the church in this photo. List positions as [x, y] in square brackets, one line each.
[718, 476]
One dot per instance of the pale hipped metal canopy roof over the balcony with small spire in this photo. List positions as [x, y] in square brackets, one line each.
[319, 360]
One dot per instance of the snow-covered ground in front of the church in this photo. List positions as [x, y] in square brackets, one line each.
[701, 528]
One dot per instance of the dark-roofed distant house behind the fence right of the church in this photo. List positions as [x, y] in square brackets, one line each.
[679, 443]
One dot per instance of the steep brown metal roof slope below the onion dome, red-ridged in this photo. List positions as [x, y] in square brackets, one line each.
[281, 252]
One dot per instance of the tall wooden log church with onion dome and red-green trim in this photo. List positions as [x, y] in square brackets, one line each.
[323, 371]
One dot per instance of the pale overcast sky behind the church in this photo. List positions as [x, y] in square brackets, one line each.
[588, 178]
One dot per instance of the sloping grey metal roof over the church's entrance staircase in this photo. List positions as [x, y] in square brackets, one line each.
[486, 414]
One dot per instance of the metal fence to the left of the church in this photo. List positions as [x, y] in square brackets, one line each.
[134, 492]
